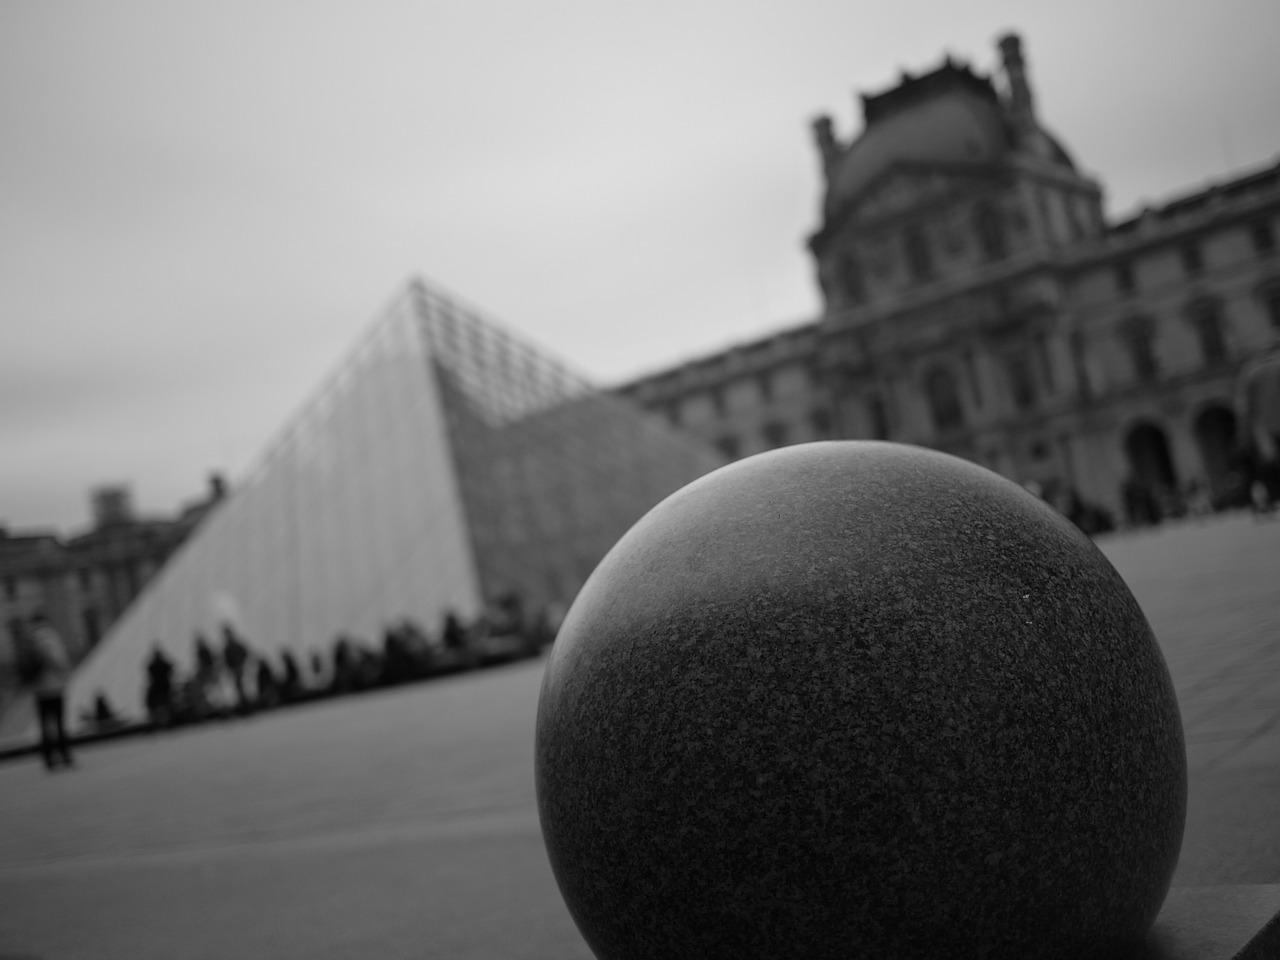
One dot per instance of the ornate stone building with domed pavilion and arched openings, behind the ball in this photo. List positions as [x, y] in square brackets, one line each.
[979, 301]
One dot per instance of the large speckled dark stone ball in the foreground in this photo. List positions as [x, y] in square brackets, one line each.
[858, 701]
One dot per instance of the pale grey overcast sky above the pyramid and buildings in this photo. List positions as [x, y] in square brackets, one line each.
[202, 205]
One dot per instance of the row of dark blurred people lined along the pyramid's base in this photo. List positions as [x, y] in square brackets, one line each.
[227, 676]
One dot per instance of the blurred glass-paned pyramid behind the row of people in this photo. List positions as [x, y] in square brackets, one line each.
[446, 465]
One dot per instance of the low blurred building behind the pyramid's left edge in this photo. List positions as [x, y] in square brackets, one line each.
[86, 582]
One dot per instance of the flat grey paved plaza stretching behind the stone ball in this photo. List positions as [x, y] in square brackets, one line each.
[403, 824]
